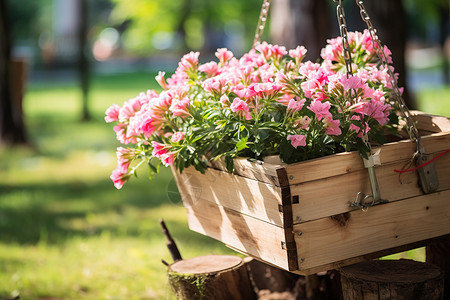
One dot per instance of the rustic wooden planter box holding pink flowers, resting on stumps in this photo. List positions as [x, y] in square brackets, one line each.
[297, 216]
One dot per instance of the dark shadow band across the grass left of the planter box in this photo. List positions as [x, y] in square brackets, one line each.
[54, 212]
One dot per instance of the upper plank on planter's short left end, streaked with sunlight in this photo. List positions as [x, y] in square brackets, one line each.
[249, 197]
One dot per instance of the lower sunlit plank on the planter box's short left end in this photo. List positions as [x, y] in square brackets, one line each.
[259, 239]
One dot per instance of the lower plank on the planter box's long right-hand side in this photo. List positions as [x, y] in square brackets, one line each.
[385, 226]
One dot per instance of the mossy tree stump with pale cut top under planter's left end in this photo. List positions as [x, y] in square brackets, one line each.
[217, 277]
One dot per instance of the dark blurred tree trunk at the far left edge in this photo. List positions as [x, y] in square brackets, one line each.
[12, 128]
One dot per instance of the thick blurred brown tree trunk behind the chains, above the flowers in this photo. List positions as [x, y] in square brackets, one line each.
[310, 23]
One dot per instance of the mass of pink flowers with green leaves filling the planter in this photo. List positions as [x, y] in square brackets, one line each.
[269, 102]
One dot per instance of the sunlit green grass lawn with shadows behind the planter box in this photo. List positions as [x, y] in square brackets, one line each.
[65, 231]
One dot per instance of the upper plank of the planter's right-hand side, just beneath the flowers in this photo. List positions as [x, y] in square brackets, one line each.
[348, 162]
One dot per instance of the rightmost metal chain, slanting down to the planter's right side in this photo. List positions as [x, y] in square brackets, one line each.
[376, 43]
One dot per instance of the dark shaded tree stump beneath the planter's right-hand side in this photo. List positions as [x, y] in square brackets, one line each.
[392, 279]
